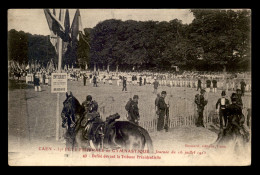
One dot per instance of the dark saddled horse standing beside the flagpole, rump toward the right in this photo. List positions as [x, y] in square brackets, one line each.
[114, 134]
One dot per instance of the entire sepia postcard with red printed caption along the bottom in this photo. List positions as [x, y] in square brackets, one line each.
[129, 87]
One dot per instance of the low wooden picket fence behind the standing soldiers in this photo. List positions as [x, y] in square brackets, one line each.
[181, 113]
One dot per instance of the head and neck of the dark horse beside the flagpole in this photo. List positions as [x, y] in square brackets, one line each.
[70, 110]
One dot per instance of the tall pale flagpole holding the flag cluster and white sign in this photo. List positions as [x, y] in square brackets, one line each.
[59, 71]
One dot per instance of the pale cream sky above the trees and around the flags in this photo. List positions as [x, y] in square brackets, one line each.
[34, 21]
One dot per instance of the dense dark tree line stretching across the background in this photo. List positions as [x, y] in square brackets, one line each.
[215, 39]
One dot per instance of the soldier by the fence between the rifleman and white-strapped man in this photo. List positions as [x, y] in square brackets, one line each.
[201, 103]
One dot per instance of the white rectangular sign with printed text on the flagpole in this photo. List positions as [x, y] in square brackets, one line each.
[58, 82]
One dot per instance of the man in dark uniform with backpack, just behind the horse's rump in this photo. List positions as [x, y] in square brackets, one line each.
[133, 111]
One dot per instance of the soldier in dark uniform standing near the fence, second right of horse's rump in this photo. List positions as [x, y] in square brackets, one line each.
[162, 106]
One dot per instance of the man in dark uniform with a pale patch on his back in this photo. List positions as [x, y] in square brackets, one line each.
[221, 106]
